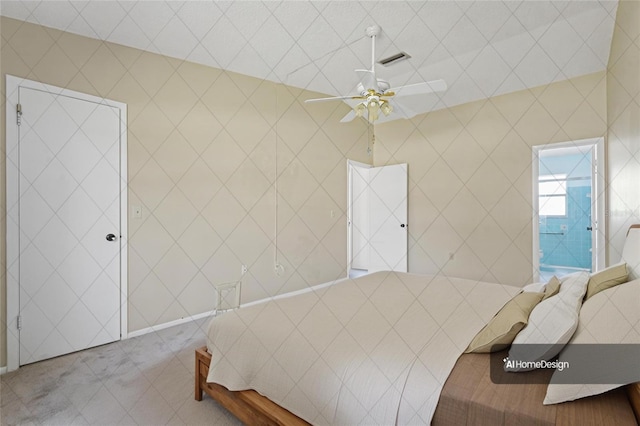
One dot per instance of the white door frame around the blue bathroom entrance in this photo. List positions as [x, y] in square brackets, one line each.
[598, 201]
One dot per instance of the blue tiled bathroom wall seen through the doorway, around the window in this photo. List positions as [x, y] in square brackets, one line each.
[565, 241]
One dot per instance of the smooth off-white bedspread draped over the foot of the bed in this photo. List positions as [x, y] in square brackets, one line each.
[373, 350]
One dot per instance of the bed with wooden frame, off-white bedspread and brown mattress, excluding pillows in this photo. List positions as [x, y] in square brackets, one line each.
[386, 348]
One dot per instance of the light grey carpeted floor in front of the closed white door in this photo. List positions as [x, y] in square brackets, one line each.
[146, 380]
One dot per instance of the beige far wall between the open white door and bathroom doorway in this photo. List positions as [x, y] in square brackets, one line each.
[470, 181]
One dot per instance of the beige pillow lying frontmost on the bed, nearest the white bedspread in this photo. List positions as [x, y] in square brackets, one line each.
[503, 328]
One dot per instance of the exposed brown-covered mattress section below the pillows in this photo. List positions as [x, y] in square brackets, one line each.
[470, 398]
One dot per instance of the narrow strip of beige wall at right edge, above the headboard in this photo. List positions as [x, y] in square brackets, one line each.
[623, 117]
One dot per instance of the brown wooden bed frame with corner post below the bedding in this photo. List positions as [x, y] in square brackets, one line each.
[254, 409]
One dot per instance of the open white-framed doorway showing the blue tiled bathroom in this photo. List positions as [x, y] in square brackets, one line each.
[568, 200]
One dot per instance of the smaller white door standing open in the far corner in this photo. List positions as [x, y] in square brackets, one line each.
[388, 218]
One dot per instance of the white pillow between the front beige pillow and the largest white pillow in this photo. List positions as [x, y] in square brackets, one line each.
[551, 323]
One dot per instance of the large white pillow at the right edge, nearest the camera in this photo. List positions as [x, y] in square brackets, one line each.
[611, 316]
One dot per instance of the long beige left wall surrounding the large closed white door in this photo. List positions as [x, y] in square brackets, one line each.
[202, 165]
